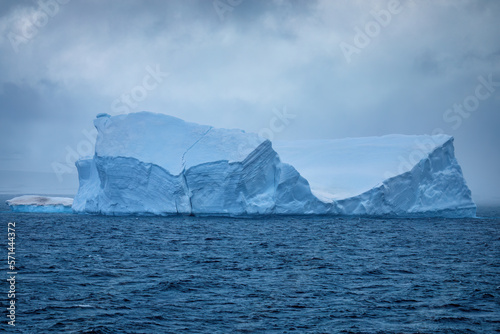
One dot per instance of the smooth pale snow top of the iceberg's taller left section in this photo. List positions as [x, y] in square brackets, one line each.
[169, 141]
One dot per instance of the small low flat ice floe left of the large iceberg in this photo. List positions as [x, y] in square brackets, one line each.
[35, 203]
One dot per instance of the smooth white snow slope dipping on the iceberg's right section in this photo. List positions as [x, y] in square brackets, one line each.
[344, 168]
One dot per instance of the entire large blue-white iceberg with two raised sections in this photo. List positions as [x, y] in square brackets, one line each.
[148, 163]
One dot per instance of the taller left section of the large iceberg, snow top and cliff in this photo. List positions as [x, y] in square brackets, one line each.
[147, 163]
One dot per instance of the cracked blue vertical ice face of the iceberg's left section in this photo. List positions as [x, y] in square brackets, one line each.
[259, 184]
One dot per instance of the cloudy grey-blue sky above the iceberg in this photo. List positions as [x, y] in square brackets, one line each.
[322, 69]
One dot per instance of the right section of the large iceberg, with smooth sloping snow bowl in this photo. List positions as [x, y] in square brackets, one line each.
[393, 175]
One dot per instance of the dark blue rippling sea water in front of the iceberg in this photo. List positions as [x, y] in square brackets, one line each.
[93, 274]
